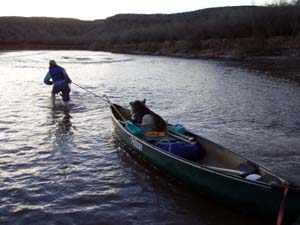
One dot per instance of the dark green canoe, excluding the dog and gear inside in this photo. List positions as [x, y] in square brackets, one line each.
[219, 175]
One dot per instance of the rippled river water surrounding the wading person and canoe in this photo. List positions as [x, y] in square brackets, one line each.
[65, 167]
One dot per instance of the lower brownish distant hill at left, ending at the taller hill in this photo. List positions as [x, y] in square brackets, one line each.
[21, 32]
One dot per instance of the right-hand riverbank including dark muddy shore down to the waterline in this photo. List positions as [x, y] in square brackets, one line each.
[276, 56]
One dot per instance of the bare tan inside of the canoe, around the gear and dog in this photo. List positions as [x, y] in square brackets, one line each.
[216, 156]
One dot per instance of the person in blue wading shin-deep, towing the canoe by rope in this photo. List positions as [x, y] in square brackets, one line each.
[60, 81]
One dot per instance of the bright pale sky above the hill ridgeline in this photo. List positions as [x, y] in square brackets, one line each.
[97, 9]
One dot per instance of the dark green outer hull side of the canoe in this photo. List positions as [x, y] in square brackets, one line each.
[232, 191]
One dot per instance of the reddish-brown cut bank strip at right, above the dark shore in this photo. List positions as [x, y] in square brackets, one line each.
[233, 49]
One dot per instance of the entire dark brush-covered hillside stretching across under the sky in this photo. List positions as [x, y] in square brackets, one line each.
[245, 28]
